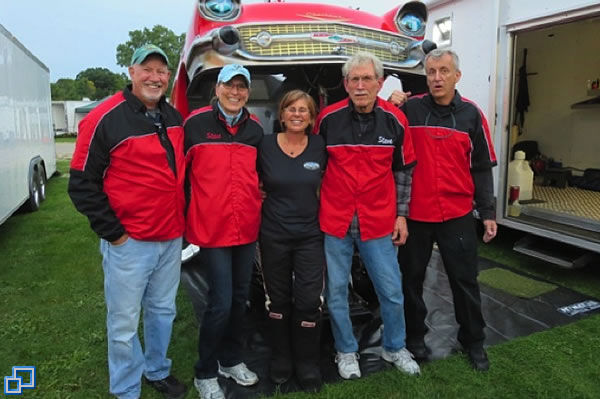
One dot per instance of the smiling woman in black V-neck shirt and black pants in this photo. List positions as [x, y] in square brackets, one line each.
[290, 166]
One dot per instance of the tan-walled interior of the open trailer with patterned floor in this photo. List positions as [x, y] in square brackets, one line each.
[558, 68]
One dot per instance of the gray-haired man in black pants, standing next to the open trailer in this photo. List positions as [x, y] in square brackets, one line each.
[453, 143]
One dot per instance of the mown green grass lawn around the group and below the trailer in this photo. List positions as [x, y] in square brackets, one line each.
[53, 318]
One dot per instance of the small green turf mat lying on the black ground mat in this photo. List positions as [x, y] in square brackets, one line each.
[514, 284]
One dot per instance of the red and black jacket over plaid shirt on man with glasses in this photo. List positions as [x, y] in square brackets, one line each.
[359, 175]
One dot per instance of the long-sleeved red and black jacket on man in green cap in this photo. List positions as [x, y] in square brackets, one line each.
[123, 178]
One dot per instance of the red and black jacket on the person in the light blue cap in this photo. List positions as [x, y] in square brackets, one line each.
[224, 204]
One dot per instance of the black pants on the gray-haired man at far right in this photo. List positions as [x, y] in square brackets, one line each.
[457, 242]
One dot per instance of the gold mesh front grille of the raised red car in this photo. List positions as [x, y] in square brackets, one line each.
[298, 40]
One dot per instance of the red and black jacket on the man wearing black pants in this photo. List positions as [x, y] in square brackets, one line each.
[455, 151]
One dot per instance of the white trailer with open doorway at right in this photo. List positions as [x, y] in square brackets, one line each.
[560, 38]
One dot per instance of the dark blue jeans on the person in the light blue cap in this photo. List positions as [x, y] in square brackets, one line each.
[221, 338]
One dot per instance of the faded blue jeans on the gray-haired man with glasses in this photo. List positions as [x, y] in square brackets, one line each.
[379, 257]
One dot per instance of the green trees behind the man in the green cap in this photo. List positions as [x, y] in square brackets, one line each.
[98, 83]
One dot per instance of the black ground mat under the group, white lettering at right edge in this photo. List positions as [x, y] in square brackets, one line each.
[507, 317]
